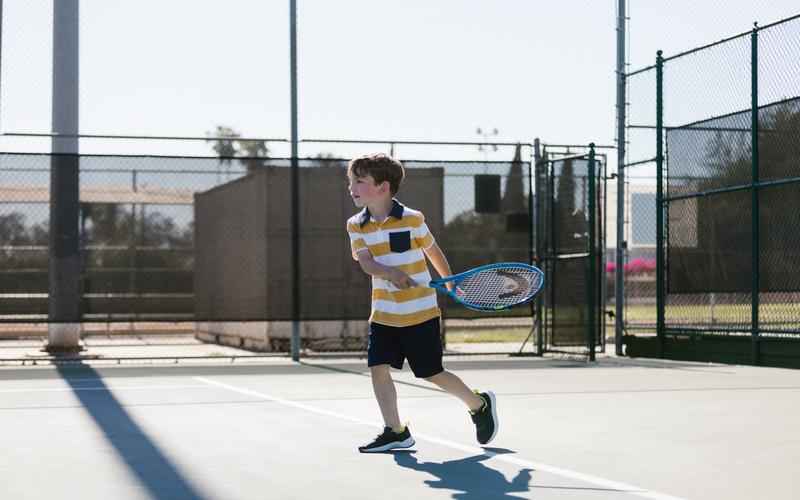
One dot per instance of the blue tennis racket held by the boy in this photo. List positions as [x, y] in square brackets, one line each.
[493, 287]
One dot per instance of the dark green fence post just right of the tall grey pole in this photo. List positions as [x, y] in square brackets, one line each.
[660, 203]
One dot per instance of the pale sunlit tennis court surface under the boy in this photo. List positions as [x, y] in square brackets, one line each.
[270, 428]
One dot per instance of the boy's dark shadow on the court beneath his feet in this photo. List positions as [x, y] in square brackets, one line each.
[471, 479]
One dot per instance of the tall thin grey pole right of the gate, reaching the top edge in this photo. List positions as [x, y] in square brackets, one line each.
[619, 276]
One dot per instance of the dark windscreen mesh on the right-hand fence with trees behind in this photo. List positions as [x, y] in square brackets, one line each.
[720, 258]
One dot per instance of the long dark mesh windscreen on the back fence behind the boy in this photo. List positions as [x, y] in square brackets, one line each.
[209, 239]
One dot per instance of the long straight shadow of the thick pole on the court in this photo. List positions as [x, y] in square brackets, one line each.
[146, 462]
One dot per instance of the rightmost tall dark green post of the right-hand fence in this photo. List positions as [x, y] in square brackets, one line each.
[755, 274]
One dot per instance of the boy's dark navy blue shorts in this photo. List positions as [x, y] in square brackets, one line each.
[421, 344]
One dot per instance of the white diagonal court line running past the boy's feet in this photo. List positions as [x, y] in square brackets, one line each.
[599, 481]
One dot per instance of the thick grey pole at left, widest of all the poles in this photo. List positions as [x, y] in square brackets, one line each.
[64, 252]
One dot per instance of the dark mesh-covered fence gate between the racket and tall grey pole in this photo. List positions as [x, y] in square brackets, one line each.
[570, 243]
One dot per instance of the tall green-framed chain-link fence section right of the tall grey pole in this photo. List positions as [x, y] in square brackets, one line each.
[724, 129]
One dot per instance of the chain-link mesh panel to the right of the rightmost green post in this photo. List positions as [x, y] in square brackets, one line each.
[779, 149]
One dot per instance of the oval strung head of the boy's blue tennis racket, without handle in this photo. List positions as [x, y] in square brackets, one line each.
[500, 287]
